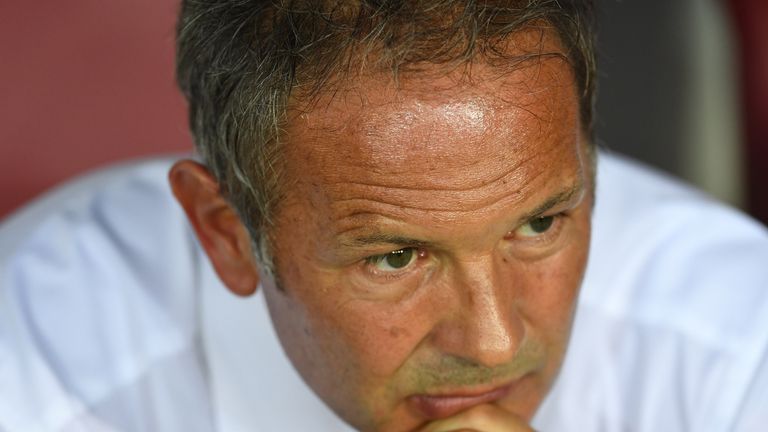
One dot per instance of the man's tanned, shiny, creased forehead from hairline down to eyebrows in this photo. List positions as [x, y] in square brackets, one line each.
[434, 147]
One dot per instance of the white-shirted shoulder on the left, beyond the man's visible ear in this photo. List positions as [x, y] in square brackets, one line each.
[95, 304]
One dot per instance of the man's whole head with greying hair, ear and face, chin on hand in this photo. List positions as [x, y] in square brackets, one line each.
[430, 227]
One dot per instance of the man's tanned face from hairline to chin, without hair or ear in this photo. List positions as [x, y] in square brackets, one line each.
[432, 246]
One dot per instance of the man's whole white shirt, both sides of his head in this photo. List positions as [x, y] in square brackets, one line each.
[111, 318]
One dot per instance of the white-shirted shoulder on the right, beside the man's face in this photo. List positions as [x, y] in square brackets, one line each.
[670, 330]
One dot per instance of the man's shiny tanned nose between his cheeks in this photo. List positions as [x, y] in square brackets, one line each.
[482, 325]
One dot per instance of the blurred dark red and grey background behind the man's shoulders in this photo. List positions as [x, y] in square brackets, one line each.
[683, 87]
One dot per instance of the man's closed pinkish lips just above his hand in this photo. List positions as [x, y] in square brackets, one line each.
[434, 407]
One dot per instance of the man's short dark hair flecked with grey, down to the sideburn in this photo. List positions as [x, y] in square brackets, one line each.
[241, 63]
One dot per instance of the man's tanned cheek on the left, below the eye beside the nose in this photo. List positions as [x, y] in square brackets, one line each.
[367, 340]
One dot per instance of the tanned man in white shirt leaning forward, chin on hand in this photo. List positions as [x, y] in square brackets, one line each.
[410, 187]
